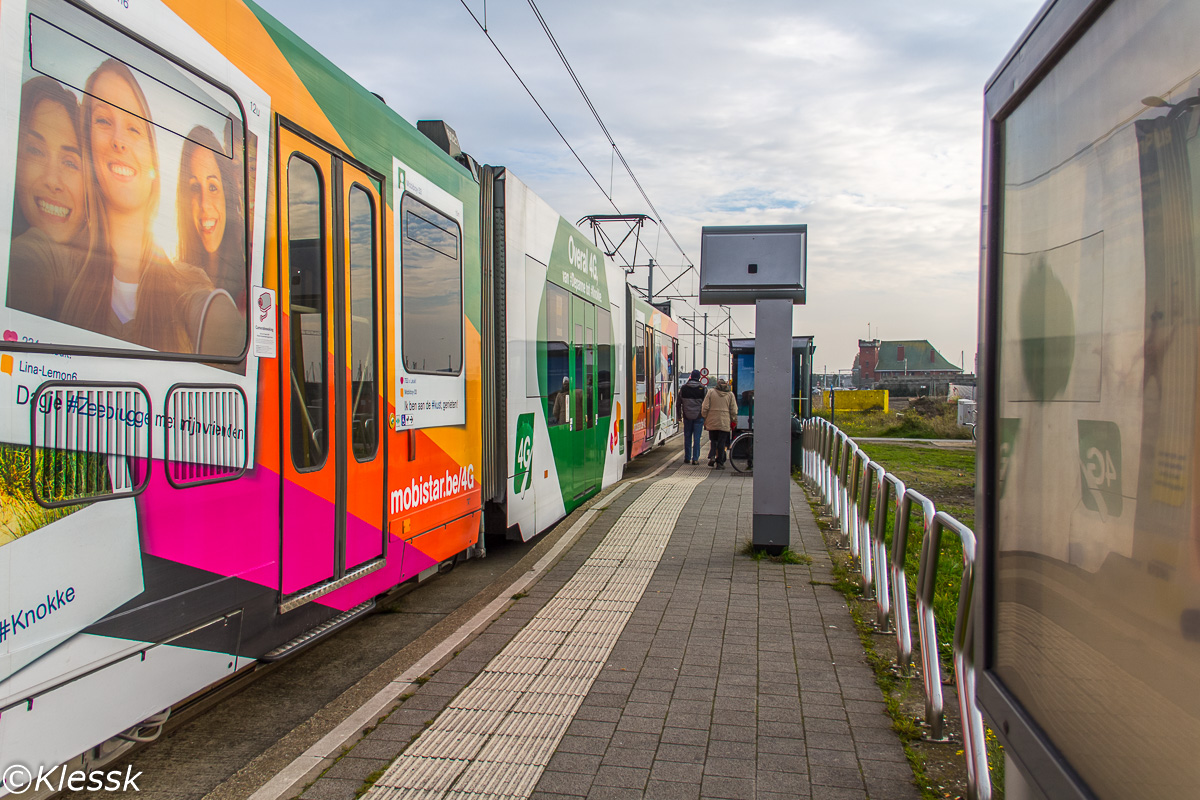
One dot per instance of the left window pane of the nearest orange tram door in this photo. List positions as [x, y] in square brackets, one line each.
[308, 310]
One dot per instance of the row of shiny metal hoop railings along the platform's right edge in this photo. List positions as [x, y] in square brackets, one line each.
[859, 494]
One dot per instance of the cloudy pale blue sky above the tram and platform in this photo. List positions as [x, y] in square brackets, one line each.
[862, 121]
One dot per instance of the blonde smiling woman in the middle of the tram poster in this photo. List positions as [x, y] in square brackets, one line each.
[128, 288]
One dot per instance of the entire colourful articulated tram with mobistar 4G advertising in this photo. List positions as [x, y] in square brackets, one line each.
[271, 353]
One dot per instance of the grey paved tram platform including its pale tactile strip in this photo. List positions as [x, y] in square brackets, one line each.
[656, 659]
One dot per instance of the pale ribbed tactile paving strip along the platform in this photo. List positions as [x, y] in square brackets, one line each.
[497, 736]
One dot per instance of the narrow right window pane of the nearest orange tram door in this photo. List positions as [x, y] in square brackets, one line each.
[364, 356]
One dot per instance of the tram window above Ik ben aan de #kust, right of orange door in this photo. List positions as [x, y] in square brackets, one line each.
[431, 291]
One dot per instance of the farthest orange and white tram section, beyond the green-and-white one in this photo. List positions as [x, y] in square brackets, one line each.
[653, 382]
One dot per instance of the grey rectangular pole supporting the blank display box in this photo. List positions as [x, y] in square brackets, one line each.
[773, 425]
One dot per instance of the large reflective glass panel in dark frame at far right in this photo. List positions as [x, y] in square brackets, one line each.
[1097, 545]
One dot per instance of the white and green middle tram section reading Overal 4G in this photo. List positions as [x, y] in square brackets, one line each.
[559, 340]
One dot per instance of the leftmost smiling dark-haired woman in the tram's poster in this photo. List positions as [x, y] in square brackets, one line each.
[51, 208]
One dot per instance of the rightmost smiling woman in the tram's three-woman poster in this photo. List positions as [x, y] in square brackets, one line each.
[212, 227]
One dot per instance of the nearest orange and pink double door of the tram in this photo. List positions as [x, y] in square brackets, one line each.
[331, 365]
